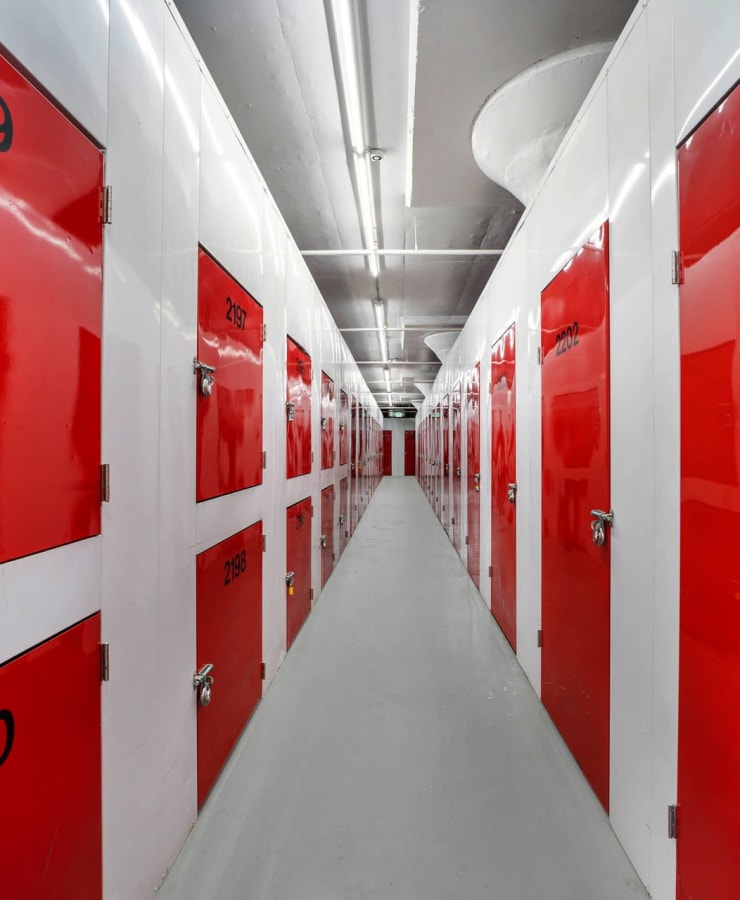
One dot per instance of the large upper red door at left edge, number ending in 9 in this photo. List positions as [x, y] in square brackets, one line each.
[51, 181]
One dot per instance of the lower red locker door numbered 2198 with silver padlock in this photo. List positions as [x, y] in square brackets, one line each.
[228, 617]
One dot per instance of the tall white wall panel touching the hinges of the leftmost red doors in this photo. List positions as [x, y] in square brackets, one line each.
[132, 273]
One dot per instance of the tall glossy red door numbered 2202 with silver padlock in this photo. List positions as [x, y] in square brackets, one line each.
[575, 480]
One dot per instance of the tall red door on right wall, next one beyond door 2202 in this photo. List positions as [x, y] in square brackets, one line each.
[503, 483]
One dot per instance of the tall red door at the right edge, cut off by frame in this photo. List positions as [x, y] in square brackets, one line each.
[709, 662]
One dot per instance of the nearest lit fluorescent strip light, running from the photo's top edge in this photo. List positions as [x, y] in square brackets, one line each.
[351, 77]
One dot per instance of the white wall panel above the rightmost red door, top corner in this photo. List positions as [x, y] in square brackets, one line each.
[707, 57]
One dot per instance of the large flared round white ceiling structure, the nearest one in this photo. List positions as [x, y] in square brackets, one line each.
[522, 124]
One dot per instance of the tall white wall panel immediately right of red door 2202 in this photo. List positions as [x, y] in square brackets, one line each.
[632, 490]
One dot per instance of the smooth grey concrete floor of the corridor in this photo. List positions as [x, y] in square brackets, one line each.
[400, 751]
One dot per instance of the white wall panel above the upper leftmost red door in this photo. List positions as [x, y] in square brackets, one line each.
[65, 48]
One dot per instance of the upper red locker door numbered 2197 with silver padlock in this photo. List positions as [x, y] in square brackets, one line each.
[229, 426]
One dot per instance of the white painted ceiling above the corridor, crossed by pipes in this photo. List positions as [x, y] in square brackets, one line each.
[272, 60]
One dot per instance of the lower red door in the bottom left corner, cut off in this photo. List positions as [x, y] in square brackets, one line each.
[50, 769]
